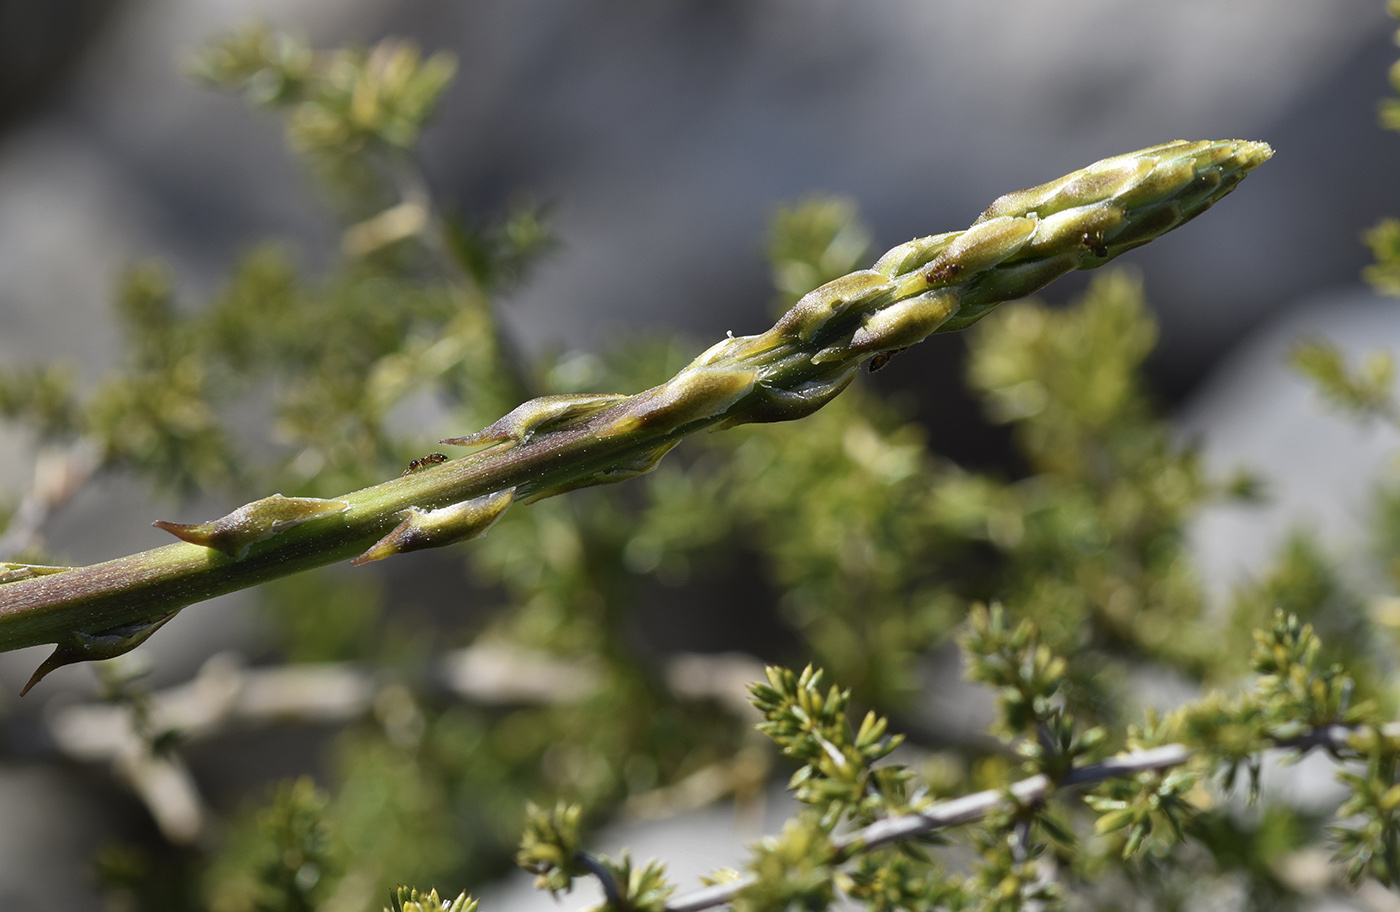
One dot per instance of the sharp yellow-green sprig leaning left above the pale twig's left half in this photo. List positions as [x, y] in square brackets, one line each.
[839, 774]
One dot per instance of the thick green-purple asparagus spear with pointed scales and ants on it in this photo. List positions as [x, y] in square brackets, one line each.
[554, 445]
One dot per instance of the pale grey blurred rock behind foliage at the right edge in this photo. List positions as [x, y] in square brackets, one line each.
[1321, 467]
